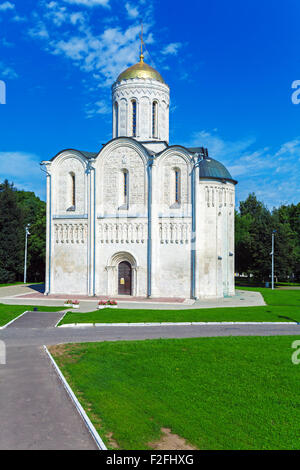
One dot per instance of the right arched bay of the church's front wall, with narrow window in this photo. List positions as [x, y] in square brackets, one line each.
[171, 225]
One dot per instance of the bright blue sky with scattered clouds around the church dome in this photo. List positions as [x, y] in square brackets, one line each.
[230, 66]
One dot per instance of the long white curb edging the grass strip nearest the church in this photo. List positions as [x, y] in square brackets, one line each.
[86, 325]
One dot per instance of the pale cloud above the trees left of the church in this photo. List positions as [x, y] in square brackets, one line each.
[24, 170]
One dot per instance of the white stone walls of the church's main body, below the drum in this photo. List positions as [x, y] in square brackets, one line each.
[88, 243]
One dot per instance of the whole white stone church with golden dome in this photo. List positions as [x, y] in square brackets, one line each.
[140, 217]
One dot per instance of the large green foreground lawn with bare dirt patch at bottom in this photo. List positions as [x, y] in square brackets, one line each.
[217, 393]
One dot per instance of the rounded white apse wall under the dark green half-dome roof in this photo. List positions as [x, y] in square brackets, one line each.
[215, 239]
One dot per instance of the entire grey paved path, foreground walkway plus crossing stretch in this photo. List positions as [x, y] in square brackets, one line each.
[34, 407]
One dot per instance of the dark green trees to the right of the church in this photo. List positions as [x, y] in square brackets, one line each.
[254, 224]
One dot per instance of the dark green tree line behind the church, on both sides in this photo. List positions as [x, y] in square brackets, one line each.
[254, 224]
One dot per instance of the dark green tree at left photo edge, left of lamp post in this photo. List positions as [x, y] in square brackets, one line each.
[11, 235]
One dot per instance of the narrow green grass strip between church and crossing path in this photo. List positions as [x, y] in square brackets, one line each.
[281, 306]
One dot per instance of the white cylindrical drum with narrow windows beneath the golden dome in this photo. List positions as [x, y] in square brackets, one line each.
[144, 92]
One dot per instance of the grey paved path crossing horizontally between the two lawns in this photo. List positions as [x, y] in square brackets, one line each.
[21, 334]
